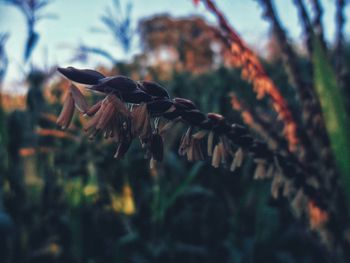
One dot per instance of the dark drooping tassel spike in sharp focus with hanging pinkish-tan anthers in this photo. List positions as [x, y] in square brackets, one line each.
[133, 109]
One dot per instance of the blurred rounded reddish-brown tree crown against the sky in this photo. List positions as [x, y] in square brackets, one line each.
[188, 43]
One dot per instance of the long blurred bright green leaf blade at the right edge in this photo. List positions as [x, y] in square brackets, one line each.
[334, 112]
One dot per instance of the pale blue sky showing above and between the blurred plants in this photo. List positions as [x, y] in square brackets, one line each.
[75, 20]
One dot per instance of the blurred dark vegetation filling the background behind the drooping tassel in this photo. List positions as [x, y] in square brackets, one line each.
[64, 198]
